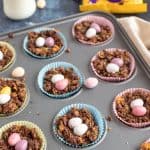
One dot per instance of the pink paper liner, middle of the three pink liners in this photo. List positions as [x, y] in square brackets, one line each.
[114, 79]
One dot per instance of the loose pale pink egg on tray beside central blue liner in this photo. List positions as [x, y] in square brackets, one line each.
[91, 82]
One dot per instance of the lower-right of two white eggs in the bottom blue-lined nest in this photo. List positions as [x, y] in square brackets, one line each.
[80, 130]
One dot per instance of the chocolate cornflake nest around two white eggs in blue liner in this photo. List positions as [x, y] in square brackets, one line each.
[66, 132]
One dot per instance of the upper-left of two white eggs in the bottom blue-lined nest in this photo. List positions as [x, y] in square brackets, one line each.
[73, 122]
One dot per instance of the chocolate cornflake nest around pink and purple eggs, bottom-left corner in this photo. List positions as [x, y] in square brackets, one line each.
[29, 134]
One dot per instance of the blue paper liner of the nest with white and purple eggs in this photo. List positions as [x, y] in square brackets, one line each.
[60, 52]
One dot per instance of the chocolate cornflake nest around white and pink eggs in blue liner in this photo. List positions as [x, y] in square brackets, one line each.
[74, 81]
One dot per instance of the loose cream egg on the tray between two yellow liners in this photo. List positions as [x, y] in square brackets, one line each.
[18, 72]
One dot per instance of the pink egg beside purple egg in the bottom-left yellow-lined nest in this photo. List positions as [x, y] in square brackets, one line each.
[13, 139]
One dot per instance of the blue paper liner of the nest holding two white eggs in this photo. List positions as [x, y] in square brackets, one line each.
[98, 119]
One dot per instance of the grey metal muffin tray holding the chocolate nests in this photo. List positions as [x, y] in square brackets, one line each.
[42, 109]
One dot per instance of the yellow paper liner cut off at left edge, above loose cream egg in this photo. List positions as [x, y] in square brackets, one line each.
[11, 48]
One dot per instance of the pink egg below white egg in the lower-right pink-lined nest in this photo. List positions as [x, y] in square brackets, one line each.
[139, 111]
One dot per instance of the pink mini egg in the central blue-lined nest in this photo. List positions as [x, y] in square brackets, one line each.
[62, 84]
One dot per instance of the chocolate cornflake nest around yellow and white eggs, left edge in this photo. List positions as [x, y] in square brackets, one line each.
[18, 96]
